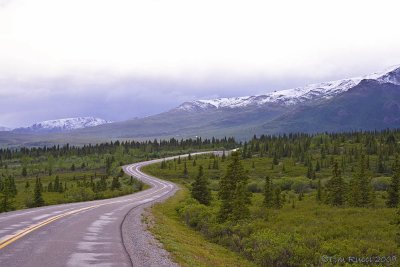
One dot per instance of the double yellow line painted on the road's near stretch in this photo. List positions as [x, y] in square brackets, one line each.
[32, 228]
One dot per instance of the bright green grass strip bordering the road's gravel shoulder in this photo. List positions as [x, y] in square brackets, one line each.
[186, 246]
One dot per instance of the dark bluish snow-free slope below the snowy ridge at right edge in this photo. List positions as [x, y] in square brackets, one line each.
[371, 105]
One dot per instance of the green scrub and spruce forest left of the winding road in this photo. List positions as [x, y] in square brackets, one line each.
[38, 176]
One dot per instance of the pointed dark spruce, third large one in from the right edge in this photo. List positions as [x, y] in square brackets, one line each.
[335, 188]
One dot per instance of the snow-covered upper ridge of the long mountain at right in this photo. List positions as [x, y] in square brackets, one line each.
[290, 97]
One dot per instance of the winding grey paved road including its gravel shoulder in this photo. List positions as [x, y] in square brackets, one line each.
[106, 232]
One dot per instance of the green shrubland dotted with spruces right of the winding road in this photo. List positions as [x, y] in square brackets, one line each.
[296, 200]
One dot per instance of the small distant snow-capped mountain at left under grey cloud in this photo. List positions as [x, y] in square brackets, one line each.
[62, 125]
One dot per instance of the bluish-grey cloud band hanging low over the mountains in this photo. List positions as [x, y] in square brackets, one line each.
[24, 101]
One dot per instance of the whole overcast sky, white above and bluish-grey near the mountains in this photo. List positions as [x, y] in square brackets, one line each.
[119, 59]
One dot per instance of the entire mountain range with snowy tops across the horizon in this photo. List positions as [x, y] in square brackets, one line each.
[362, 103]
